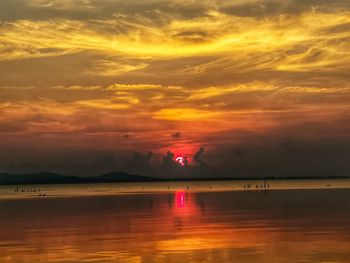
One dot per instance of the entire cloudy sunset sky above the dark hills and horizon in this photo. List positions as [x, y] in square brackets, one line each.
[241, 88]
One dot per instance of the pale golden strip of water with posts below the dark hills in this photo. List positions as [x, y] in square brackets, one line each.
[39, 191]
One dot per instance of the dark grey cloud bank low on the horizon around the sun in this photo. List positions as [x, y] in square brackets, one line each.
[261, 156]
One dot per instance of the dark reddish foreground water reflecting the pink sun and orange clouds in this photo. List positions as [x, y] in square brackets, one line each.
[180, 226]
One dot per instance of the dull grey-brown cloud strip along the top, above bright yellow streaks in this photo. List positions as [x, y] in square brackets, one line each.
[104, 9]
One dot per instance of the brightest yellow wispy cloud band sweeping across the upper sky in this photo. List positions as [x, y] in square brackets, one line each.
[228, 34]
